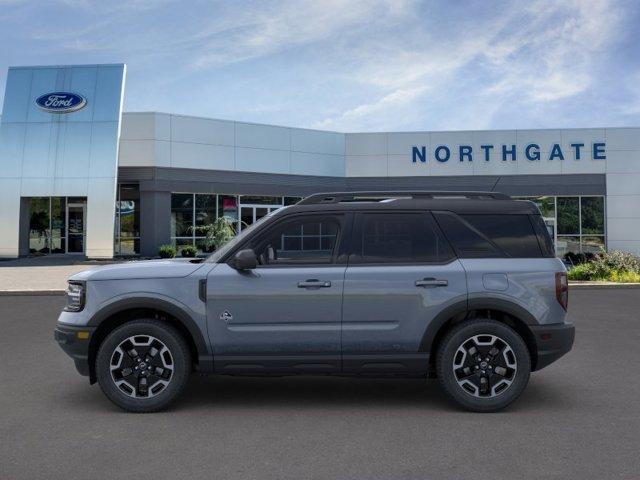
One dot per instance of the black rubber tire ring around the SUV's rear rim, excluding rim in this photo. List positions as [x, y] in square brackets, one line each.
[455, 338]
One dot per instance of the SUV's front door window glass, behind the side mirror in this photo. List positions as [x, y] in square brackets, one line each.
[302, 241]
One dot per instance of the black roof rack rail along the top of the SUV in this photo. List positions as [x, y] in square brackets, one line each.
[337, 197]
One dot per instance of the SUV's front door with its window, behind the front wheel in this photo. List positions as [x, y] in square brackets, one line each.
[286, 314]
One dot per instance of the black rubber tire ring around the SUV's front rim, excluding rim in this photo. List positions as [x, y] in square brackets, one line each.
[181, 359]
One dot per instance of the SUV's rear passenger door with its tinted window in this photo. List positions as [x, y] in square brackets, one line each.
[401, 273]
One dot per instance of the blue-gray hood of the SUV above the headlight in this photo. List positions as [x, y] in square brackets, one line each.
[170, 268]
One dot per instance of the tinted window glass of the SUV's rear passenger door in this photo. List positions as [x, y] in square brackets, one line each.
[400, 238]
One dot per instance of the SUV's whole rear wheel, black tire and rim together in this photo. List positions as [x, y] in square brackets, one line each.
[461, 369]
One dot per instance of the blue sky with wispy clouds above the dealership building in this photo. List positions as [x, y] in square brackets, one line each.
[351, 65]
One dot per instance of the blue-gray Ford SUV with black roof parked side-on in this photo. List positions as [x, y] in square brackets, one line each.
[462, 286]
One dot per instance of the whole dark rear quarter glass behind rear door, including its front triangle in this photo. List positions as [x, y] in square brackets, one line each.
[489, 235]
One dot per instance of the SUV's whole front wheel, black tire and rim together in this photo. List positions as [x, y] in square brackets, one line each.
[143, 365]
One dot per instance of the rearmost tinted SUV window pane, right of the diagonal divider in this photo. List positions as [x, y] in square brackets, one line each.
[513, 234]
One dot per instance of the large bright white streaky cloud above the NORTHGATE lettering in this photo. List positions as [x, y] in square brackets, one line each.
[542, 54]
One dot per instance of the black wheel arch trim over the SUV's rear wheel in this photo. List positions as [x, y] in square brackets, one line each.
[504, 311]
